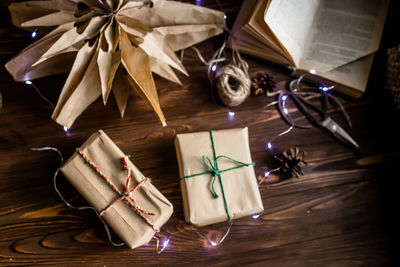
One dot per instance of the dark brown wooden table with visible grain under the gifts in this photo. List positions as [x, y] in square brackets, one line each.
[340, 213]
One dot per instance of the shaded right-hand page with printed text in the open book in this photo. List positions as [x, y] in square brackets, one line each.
[342, 32]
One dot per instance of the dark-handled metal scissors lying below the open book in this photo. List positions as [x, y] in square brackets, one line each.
[321, 119]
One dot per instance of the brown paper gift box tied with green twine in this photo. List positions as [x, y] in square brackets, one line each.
[240, 185]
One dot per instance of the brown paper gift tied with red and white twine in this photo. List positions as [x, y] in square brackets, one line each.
[122, 218]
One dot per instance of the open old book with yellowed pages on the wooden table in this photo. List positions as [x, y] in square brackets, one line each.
[333, 39]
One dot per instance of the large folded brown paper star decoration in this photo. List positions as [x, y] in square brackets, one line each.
[108, 45]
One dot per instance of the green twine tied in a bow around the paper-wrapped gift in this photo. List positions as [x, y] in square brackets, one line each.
[214, 169]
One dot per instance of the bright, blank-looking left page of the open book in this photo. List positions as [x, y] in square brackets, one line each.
[291, 21]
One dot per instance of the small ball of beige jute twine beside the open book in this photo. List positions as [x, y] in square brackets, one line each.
[233, 85]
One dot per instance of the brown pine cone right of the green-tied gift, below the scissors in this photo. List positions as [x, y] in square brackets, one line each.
[293, 161]
